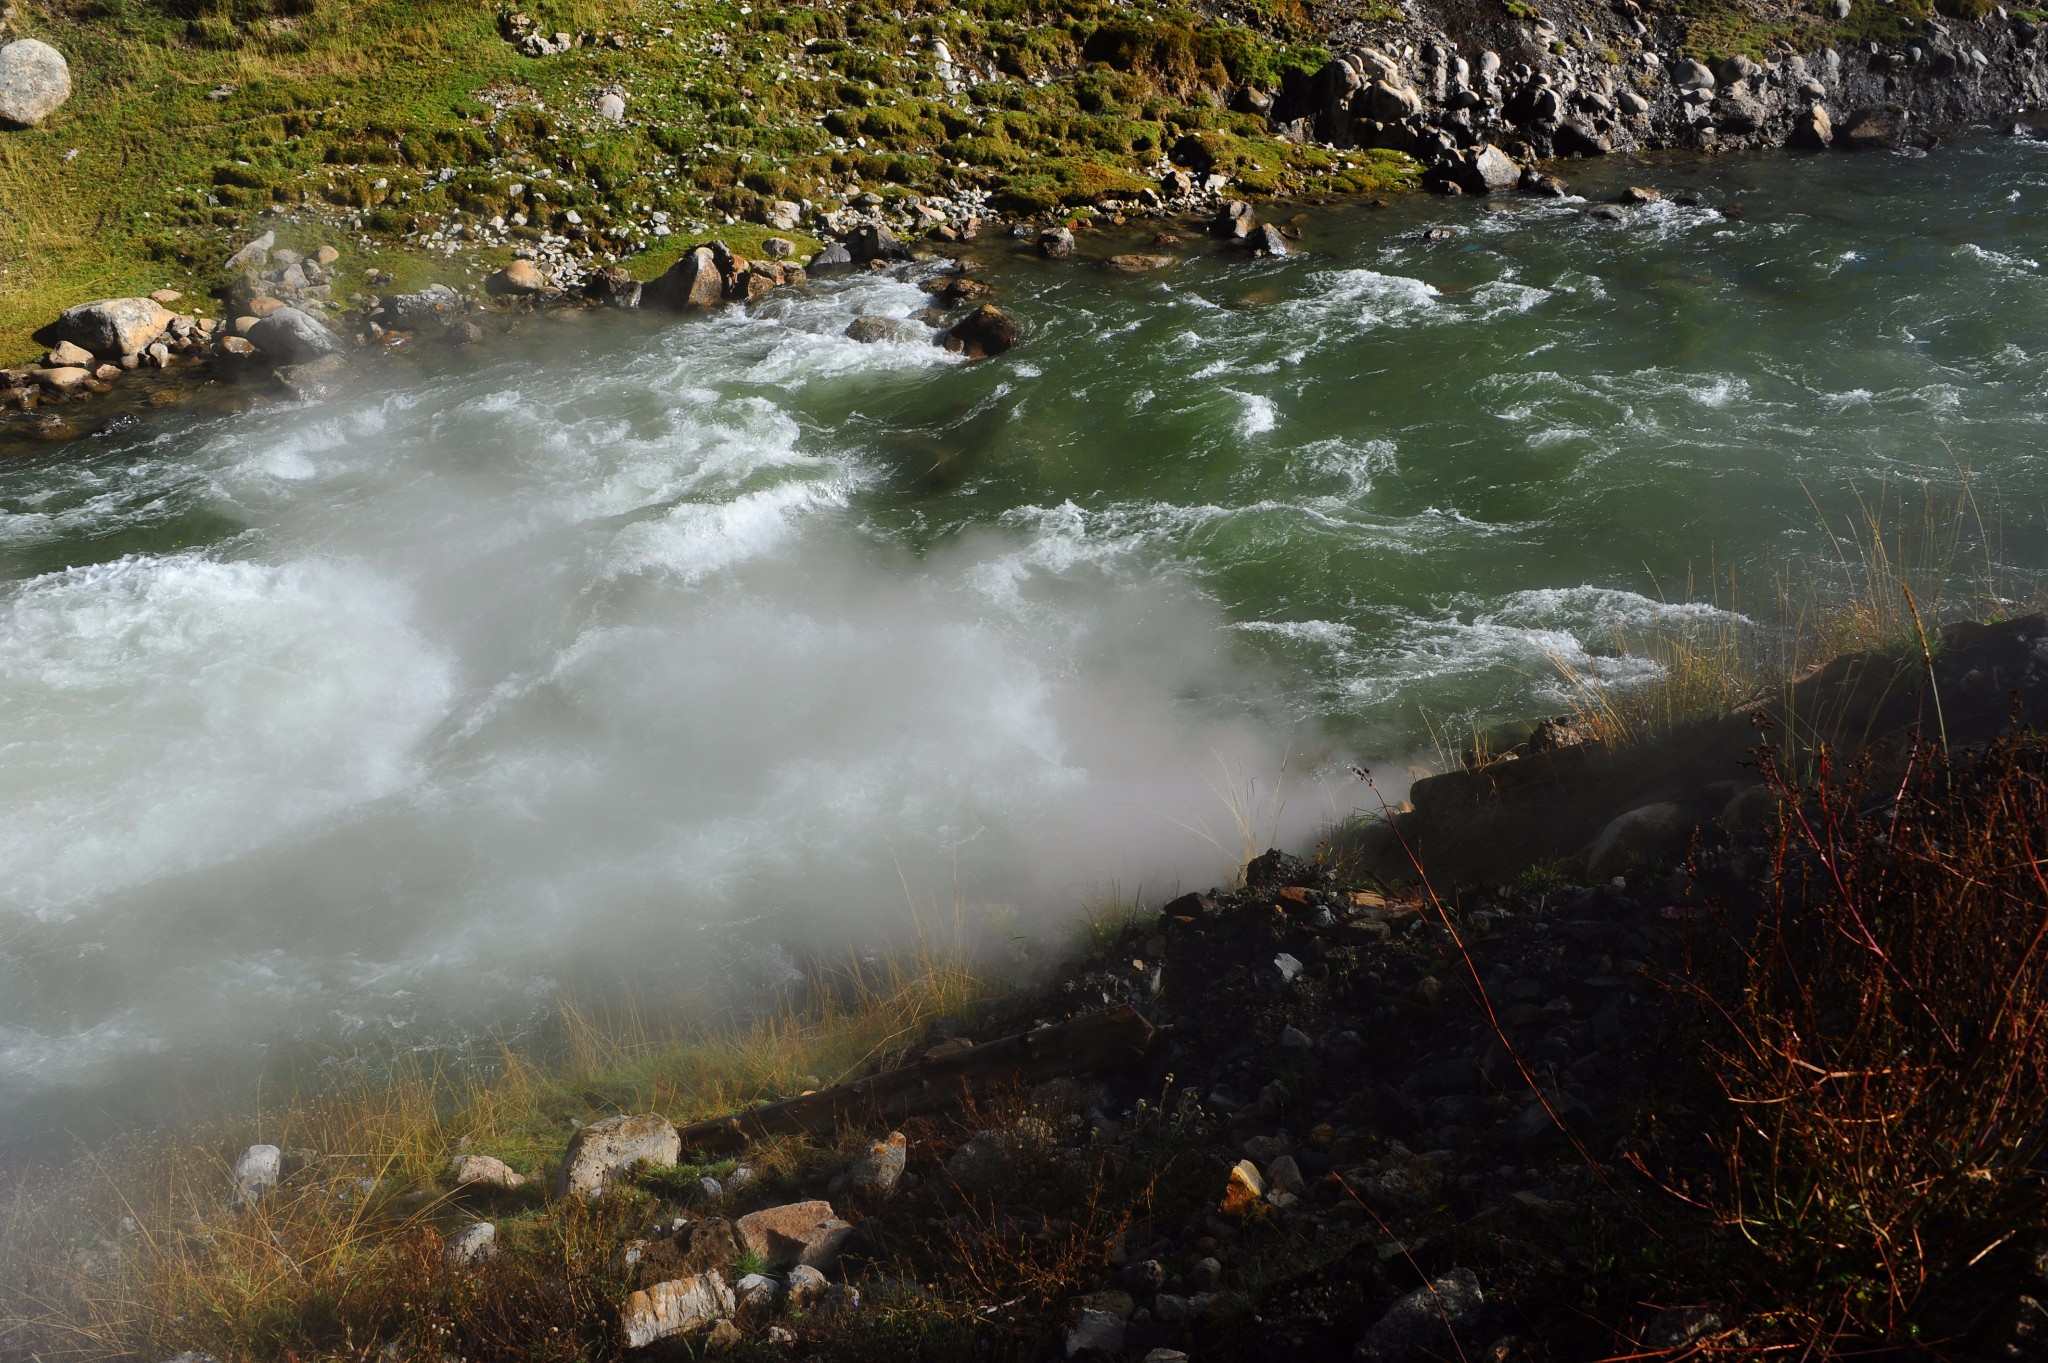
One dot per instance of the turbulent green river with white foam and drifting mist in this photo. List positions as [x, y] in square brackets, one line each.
[638, 640]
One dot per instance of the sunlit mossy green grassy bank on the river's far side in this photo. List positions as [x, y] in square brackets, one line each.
[402, 130]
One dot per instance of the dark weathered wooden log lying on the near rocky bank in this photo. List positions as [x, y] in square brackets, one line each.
[1091, 1043]
